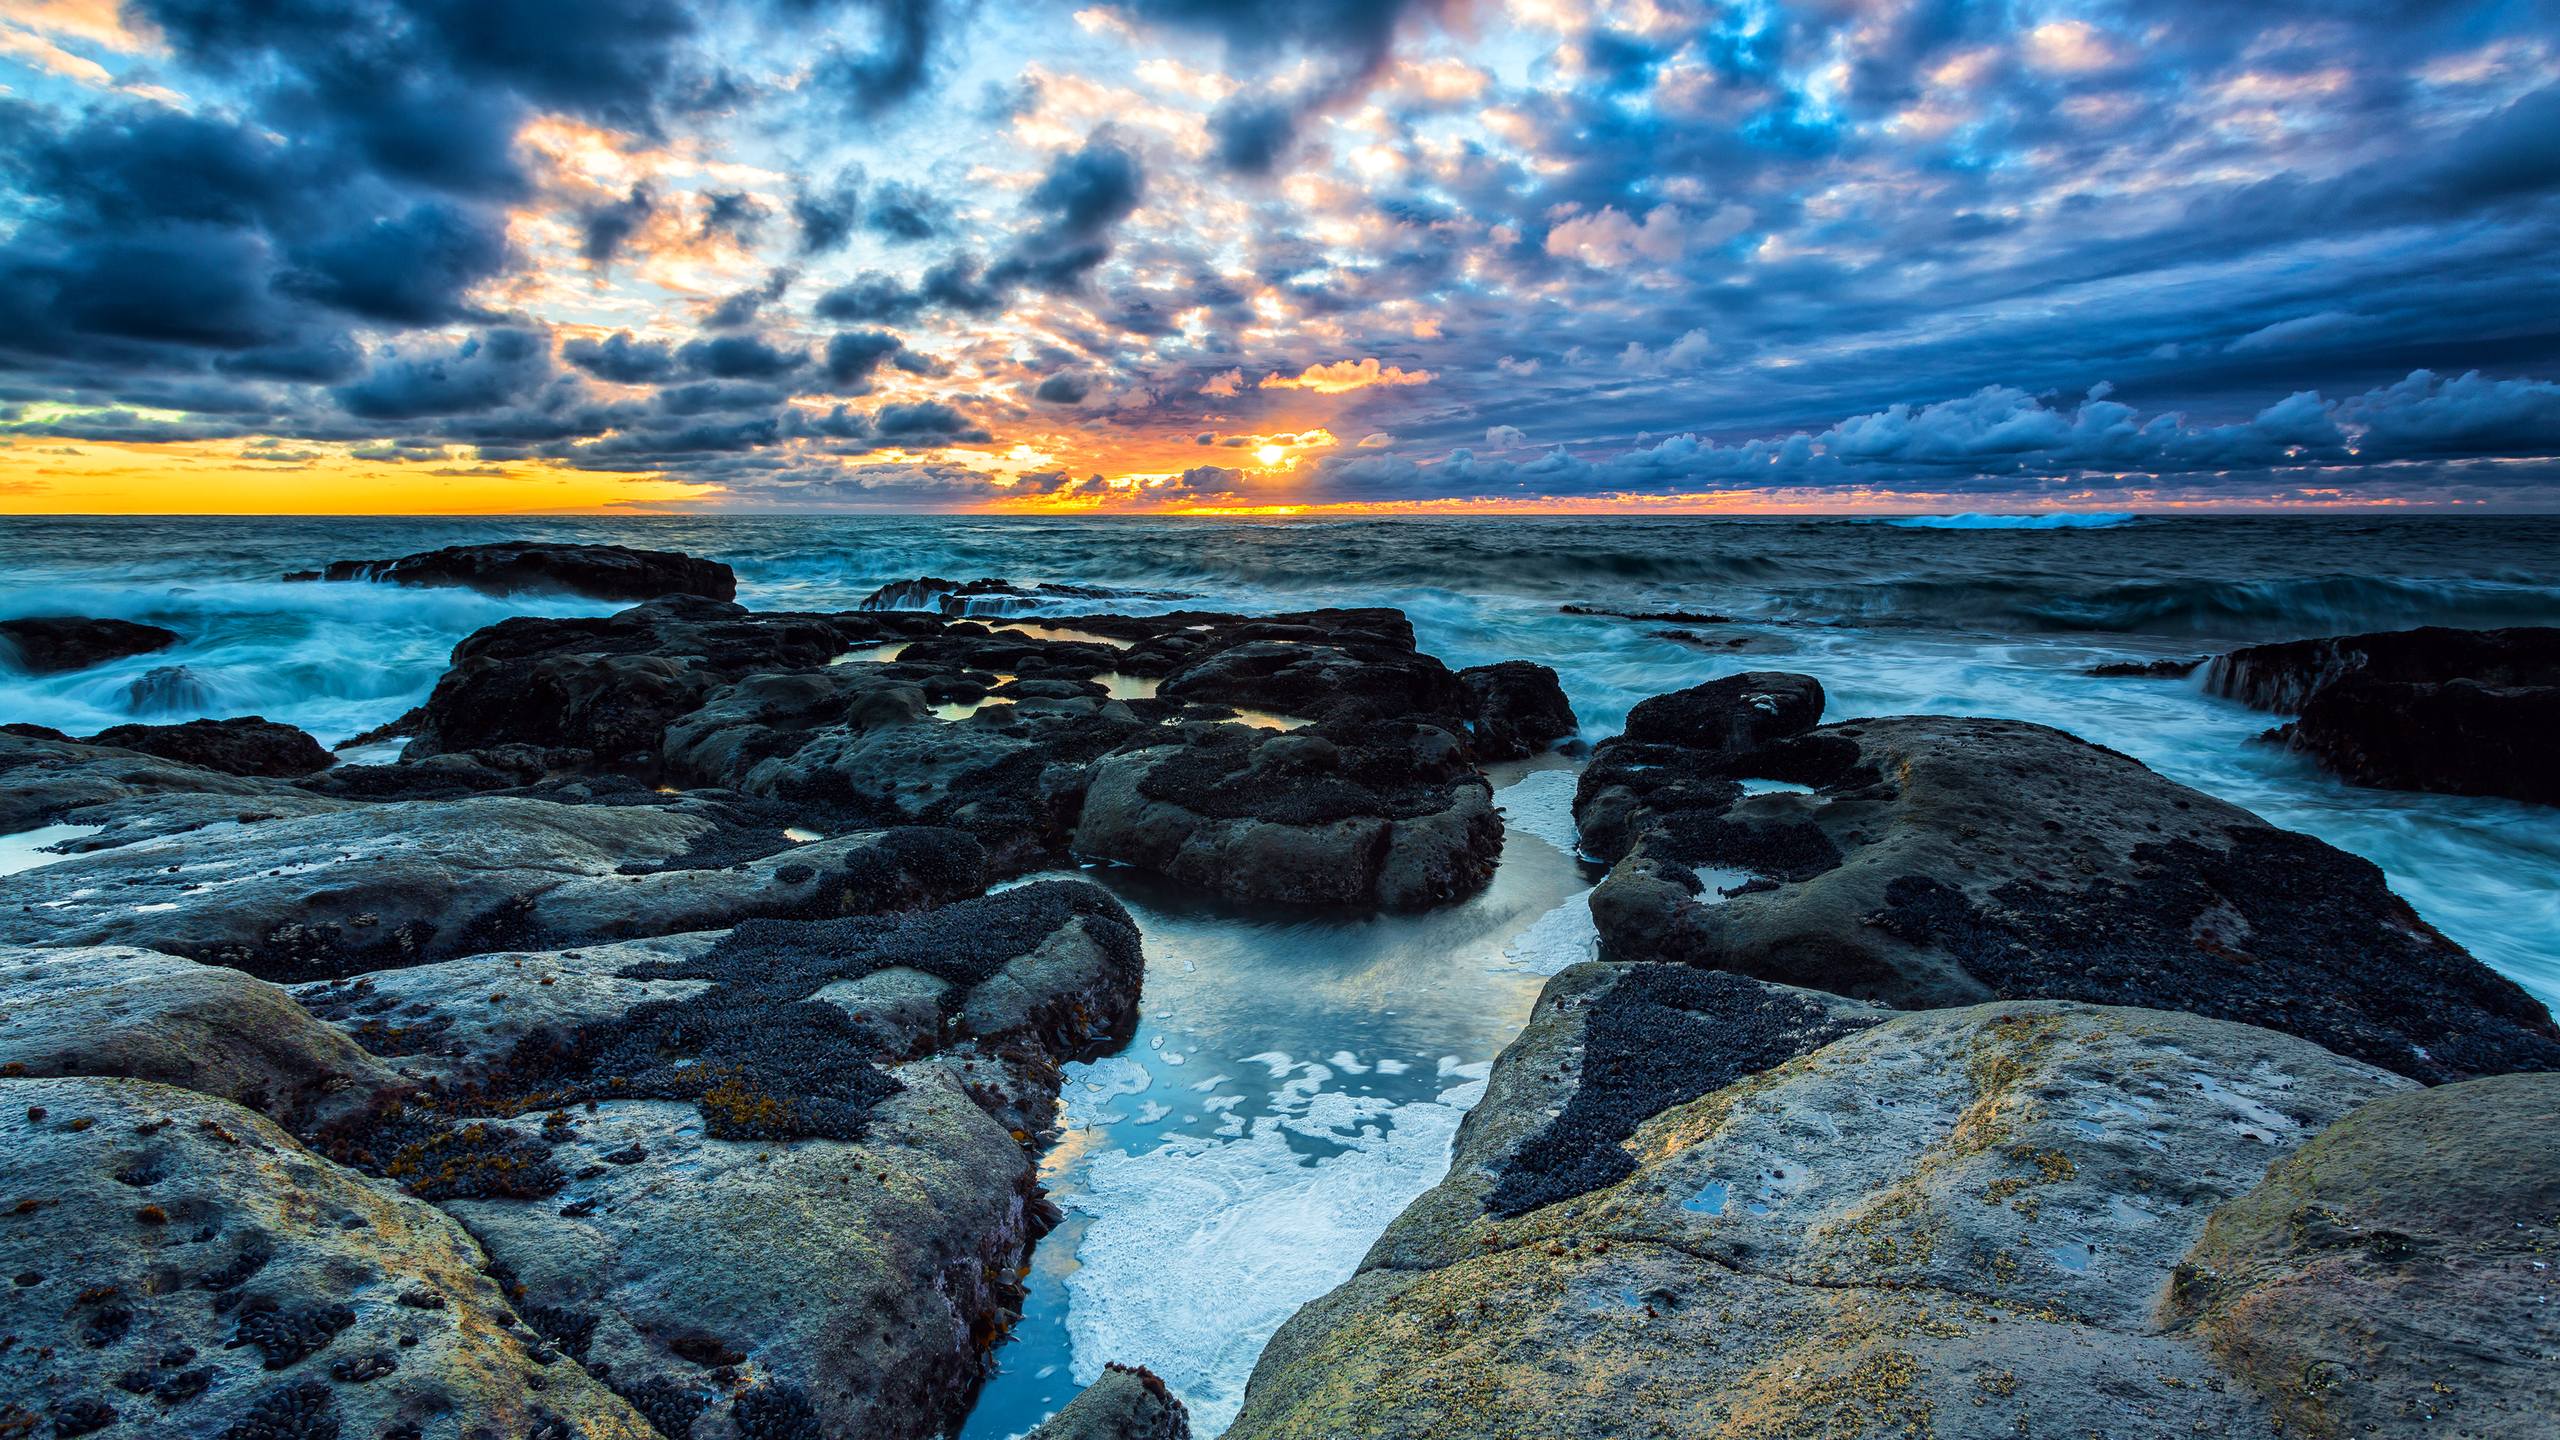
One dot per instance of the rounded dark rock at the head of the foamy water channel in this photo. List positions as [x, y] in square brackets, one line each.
[1350, 814]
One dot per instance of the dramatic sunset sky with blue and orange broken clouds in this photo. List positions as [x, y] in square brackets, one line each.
[1276, 258]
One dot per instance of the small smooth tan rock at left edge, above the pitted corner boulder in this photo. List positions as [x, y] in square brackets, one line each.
[106, 1011]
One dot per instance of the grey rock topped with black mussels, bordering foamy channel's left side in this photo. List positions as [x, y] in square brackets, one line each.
[800, 1152]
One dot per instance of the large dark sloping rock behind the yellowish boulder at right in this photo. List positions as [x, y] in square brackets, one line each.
[1947, 862]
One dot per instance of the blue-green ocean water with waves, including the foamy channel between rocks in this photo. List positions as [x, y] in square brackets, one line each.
[1297, 1080]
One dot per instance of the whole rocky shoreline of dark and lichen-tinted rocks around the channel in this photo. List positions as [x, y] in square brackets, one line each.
[667, 1042]
